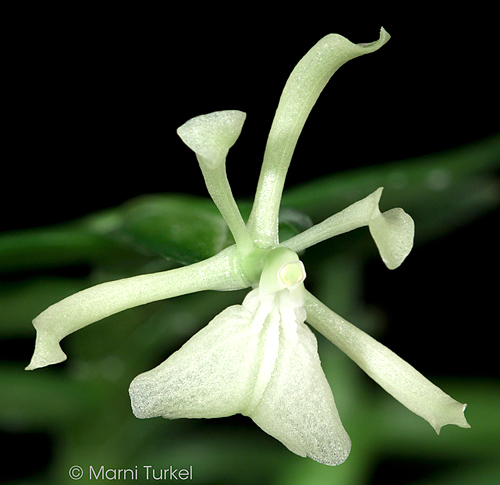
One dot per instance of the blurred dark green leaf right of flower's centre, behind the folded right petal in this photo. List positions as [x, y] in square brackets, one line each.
[427, 187]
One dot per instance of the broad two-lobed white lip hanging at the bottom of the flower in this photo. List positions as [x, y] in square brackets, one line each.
[258, 359]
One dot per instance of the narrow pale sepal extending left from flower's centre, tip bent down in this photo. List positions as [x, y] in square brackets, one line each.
[88, 306]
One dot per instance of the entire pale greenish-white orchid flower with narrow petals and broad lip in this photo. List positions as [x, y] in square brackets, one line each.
[260, 358]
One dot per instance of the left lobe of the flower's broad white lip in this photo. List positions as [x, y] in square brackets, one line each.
[208, 377]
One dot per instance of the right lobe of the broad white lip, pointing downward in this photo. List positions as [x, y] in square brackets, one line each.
[297, 407]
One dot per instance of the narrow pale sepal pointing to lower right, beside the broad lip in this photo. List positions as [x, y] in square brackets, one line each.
[391, 372]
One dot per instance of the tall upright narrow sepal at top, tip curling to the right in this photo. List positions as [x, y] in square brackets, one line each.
[305, 84]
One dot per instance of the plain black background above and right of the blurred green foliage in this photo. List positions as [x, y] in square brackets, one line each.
[94, 98]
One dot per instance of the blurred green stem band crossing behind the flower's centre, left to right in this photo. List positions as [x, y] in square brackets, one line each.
[440, 191]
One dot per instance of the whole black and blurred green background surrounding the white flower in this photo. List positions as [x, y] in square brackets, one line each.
[95, 181]
